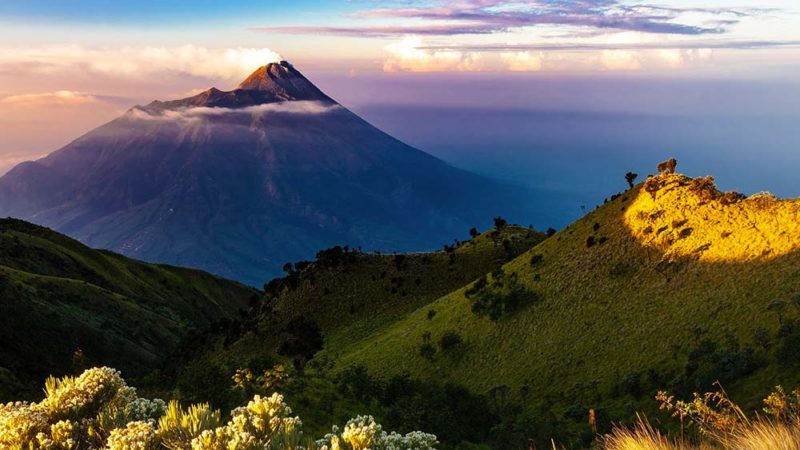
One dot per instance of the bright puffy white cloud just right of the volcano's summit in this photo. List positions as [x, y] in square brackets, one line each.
[408, 55]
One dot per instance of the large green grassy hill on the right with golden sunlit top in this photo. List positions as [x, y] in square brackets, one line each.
[670, 284]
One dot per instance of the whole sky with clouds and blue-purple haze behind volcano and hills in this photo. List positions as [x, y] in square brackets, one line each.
[572, 70]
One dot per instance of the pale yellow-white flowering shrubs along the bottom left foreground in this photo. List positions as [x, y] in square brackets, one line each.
[98, 410]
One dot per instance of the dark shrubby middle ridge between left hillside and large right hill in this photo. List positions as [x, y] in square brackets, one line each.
[342, 297]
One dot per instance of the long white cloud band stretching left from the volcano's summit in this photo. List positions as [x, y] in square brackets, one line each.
[230, 63]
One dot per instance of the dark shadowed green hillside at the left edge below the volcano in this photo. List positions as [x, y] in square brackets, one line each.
[58, 296]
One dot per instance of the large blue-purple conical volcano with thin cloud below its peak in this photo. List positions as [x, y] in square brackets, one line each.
[239, 182]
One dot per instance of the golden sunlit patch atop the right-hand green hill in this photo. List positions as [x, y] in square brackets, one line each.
[682, 219]
